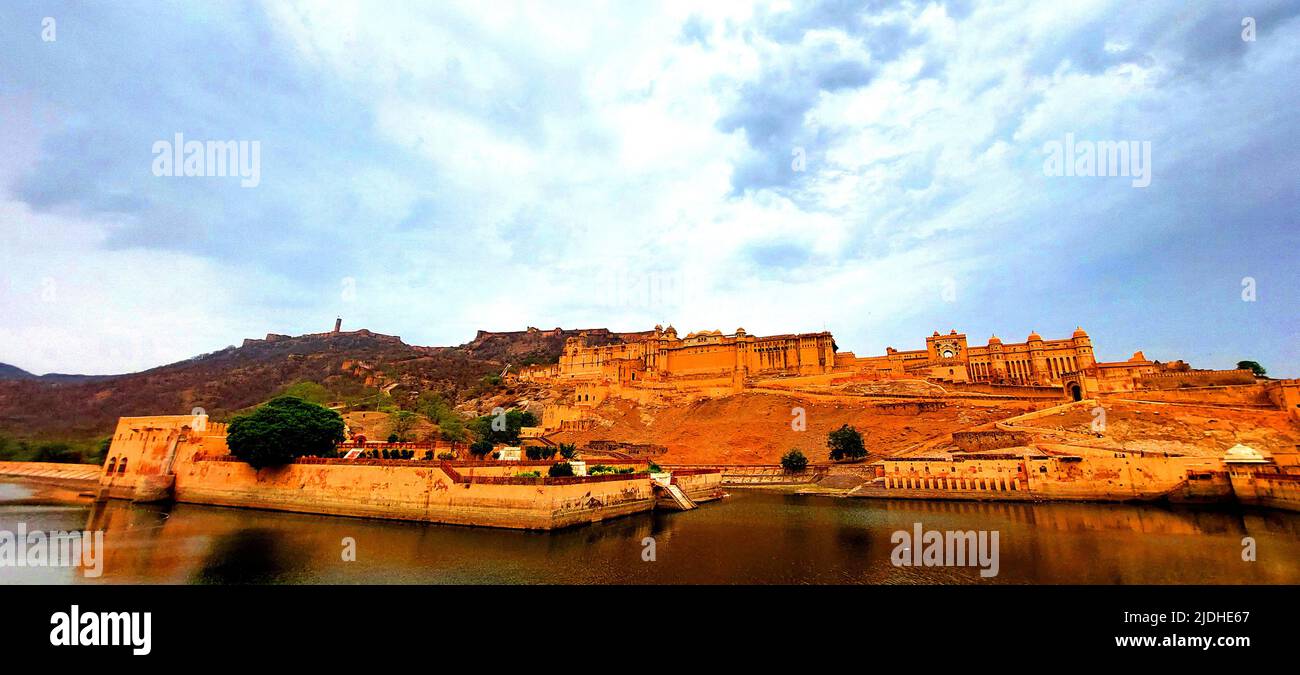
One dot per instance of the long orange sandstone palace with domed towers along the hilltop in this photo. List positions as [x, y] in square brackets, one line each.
[718, 362]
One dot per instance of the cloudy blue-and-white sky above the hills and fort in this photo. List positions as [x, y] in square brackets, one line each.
[428, 170]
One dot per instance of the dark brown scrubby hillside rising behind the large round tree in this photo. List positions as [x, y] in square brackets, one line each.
[354, 367]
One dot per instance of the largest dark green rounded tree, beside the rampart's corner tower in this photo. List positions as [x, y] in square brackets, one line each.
[283, 430]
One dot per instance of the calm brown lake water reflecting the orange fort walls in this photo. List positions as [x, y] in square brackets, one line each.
[751, 538]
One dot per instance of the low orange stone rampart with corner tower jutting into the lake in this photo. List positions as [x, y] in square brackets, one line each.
[166, 456]
